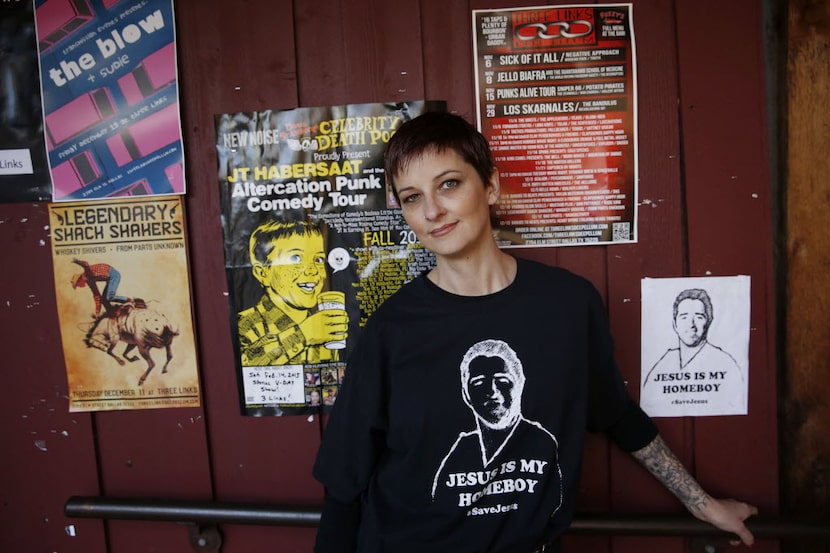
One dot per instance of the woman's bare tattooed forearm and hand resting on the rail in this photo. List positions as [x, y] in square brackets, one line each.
[726, 514]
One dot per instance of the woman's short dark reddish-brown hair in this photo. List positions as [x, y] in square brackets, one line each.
[436, 132]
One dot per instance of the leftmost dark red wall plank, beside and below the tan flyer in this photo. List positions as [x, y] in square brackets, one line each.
[48, 453]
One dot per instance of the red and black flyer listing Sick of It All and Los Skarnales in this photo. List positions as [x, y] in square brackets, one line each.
[556, 97]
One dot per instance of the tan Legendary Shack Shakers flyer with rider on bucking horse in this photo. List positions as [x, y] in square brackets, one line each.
[123, 301]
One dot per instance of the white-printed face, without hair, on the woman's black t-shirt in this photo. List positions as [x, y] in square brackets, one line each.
[490, 388]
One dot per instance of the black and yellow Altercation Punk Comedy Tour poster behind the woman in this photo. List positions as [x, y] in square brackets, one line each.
[314, 242]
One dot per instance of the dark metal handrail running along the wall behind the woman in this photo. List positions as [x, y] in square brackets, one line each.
[221, 512]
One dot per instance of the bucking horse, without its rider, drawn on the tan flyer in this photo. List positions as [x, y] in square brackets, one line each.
[139, 327]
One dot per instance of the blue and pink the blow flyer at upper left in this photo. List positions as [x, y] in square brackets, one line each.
[110, 98]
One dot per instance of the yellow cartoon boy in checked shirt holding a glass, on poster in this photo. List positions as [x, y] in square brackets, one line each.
[285, 327]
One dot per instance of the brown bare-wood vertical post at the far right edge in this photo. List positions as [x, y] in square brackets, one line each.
[806, 411]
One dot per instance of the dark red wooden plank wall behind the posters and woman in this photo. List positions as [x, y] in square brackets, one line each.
[704, 210]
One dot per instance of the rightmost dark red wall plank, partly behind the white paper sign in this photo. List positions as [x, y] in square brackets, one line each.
[723, 108]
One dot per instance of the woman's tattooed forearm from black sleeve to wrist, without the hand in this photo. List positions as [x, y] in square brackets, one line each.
[662, 463]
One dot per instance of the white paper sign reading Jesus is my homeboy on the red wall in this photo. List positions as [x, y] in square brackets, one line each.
[695, 346]
